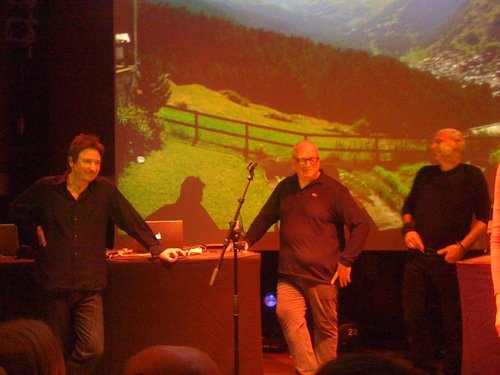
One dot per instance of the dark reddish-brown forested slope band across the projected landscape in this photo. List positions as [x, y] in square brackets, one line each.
[295, 75]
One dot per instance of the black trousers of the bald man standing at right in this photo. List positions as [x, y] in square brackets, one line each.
[426, 274]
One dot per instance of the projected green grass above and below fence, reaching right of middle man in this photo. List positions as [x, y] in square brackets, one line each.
[223, 170]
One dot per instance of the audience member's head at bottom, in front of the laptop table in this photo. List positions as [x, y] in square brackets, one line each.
[171, 360]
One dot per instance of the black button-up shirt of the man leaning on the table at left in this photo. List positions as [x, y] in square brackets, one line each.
[76, 230]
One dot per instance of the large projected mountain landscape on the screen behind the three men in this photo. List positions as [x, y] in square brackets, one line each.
[205, 87]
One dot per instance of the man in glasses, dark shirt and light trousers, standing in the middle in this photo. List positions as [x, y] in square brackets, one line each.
[313, 210]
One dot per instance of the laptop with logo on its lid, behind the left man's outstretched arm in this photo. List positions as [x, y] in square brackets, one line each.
[170, 233]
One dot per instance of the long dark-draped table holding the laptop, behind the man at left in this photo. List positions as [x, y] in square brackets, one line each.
[148, 302]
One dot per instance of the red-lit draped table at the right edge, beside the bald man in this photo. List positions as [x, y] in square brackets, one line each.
[481, 344]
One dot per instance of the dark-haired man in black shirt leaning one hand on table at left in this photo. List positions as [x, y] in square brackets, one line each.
[70, 214]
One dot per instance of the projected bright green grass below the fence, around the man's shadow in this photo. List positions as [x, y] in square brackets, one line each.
[157, 181]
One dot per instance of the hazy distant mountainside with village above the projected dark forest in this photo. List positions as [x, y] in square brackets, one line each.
[451, 38]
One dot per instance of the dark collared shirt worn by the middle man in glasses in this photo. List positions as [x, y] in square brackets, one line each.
[312, 222]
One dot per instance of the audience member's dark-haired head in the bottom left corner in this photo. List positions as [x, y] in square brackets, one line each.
[29, 347]
